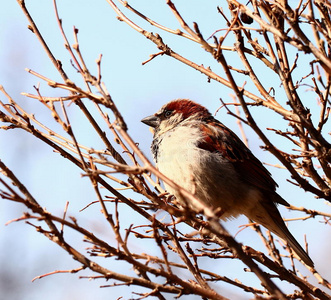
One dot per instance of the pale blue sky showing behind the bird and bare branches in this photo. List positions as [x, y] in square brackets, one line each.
[138, 91]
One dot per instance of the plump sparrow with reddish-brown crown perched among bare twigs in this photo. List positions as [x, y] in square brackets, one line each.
[206, 158]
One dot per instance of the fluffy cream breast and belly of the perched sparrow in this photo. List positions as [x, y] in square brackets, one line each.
[208, 175]
